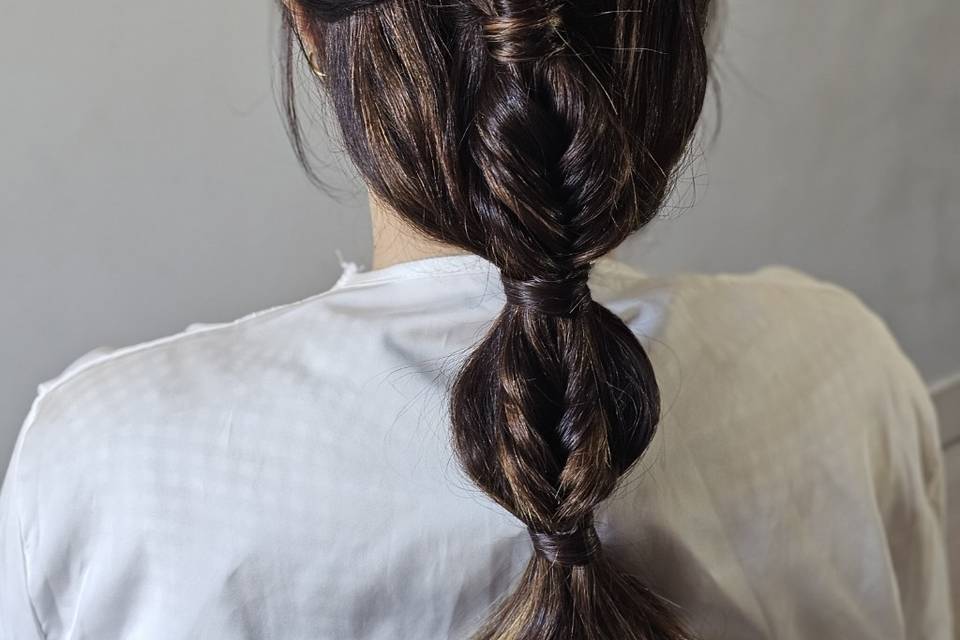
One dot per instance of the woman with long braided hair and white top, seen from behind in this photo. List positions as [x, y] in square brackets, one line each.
[470, 440]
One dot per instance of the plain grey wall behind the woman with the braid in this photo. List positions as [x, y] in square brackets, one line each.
[146, 182]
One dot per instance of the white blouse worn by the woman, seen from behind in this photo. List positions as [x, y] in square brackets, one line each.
[288, 475]
